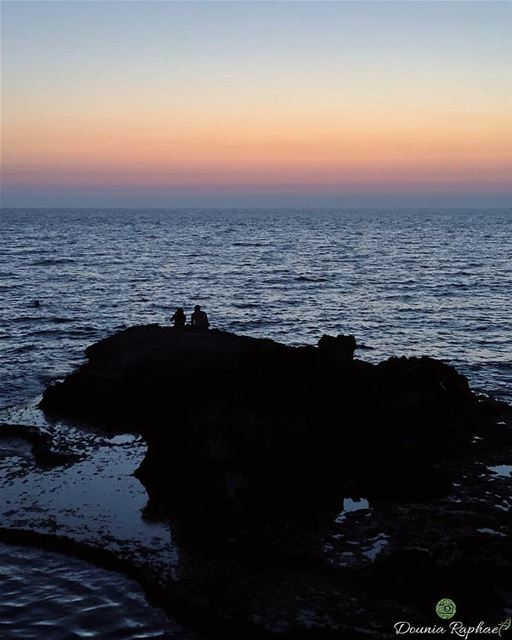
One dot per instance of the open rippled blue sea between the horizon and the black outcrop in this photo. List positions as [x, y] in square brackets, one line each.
[403, 282]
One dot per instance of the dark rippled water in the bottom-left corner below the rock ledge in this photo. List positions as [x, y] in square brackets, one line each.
[56, 597]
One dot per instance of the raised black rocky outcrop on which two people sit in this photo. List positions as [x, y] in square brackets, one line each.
[246, 426]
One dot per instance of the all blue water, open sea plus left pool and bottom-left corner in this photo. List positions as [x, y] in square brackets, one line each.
[403, 282]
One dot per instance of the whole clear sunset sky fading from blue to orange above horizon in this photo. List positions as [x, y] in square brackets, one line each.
[165, 104]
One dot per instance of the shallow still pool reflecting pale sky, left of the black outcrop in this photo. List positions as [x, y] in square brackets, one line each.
[95, 500]
